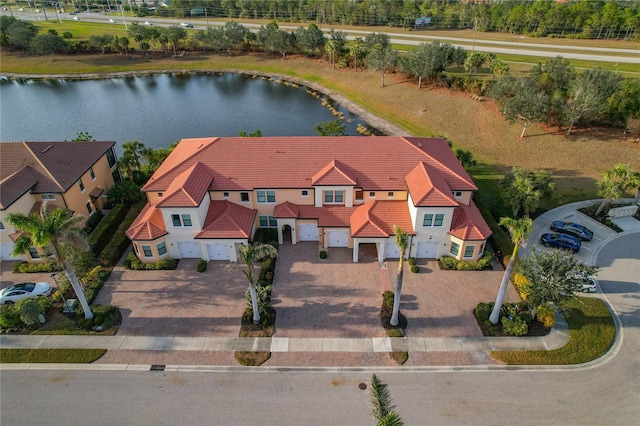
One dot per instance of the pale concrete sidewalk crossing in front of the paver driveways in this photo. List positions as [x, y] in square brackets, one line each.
[555, 339]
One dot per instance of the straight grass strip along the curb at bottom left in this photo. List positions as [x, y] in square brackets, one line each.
[65, 356]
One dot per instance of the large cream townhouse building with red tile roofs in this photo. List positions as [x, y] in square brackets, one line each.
[210, 195]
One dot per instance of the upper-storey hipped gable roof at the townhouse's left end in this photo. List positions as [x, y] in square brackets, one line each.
[189, 188]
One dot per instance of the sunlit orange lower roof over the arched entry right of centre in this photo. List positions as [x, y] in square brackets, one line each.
[378, 218]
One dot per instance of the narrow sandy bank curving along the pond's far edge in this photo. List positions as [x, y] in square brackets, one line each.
[372, 120]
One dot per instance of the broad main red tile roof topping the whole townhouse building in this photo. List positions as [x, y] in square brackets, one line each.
[375, 163]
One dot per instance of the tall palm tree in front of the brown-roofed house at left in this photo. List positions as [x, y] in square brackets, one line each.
[53, 230]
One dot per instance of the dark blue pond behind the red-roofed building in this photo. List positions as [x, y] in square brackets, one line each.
[158, 110]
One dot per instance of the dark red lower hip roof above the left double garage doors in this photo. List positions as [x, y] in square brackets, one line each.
[227, 220]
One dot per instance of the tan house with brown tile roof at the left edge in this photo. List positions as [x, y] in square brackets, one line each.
[71, 175]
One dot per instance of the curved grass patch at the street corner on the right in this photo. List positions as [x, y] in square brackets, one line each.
[591, 334]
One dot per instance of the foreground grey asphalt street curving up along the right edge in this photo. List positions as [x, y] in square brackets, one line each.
[603, 392]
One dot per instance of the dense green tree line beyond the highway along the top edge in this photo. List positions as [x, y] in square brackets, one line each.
[540, 18]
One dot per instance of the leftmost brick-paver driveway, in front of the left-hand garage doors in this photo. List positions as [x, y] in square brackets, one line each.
[178, 303]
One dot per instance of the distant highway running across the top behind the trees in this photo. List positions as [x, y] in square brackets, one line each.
[410, 38]
